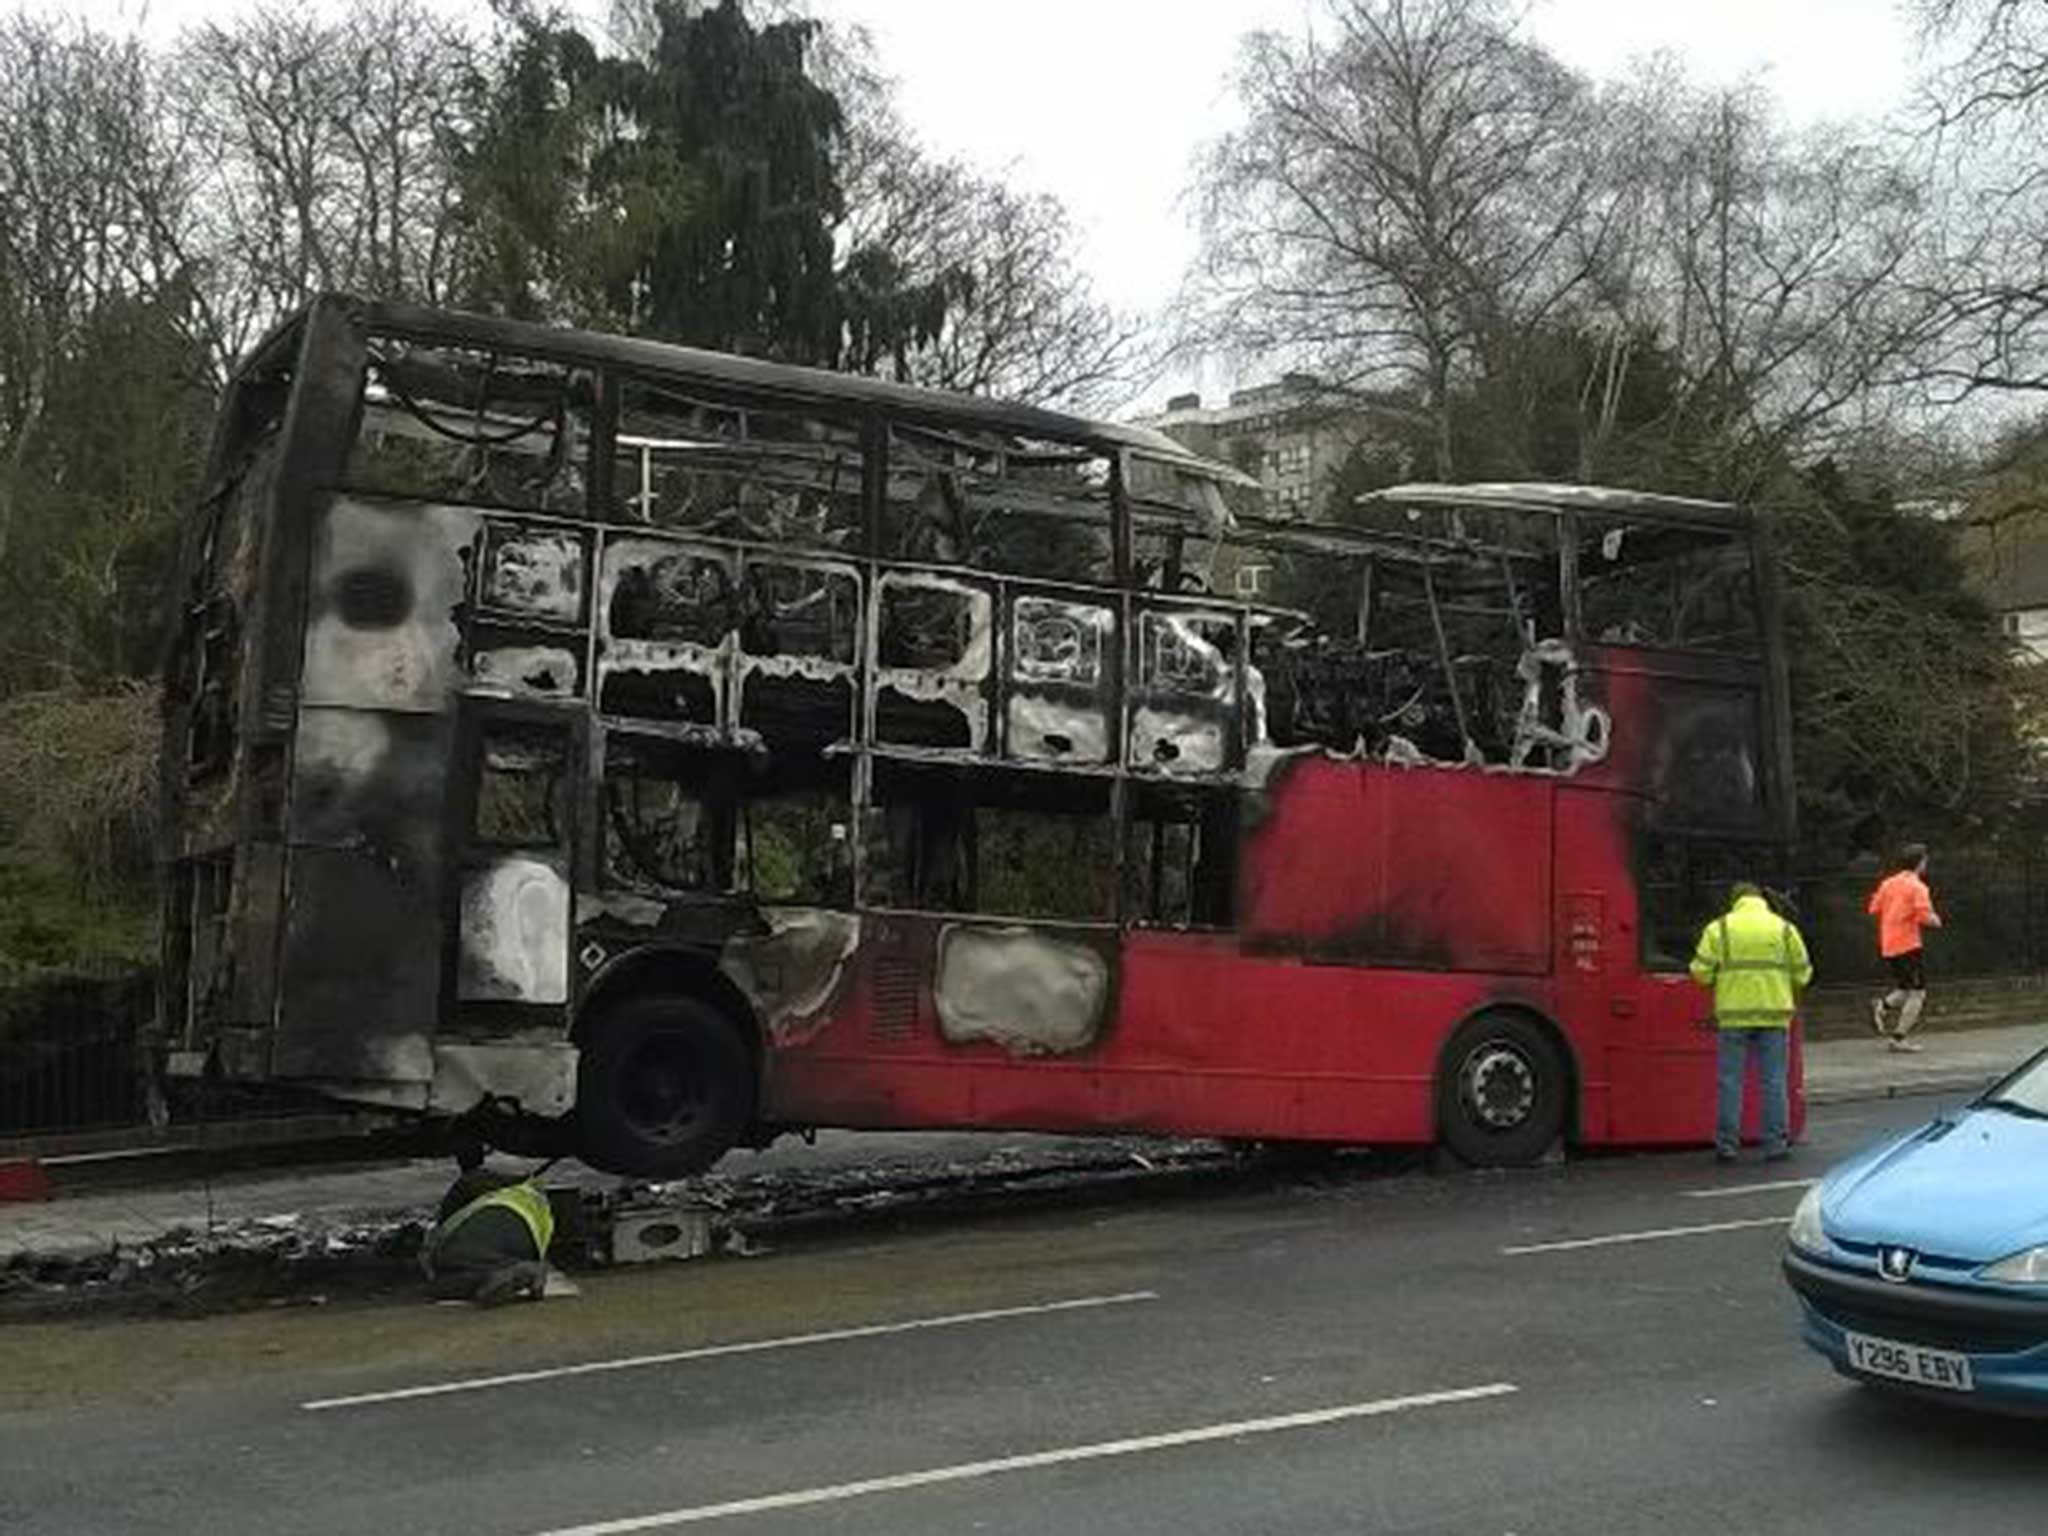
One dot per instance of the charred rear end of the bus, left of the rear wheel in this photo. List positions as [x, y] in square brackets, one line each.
[325, 921]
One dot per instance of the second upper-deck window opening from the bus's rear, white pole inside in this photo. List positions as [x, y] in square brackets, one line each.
[757, 474]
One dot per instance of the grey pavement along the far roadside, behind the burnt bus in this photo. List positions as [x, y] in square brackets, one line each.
[351, 1197]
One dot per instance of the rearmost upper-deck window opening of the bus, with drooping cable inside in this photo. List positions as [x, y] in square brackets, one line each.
[458, 425]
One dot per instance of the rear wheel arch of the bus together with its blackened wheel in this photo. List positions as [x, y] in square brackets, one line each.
[671, 1068]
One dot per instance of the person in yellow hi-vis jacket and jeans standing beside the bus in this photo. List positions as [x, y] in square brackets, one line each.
[1756, 966]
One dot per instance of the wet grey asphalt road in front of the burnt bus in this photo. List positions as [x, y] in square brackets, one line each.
[1345, 1353]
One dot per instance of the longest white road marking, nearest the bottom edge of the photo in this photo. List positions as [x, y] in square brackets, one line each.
[1002, 1465]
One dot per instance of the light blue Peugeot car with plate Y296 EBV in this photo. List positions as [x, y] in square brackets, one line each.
[1924, 1263]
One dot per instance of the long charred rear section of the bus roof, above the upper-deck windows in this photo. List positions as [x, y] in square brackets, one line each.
[787, 382]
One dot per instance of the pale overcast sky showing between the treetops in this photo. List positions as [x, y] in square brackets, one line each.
[1105, 101]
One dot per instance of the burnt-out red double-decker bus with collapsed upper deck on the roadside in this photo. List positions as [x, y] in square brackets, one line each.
[638, 751]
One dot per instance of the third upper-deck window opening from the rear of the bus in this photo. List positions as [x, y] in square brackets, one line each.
[996, 503]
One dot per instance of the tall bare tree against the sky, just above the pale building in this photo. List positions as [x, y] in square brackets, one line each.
[1404, 196]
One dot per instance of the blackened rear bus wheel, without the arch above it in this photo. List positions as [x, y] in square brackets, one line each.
[665, 1089]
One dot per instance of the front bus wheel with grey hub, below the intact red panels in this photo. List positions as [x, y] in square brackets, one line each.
[1502, 1093]
